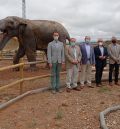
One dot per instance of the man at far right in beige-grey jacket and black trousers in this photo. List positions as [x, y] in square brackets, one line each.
[114, 60]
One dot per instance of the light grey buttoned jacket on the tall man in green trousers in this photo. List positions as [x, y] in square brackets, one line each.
[55, 54]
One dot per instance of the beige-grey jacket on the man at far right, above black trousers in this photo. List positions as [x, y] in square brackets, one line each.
[112, 56]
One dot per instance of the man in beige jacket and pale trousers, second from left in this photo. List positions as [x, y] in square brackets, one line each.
[73, 58]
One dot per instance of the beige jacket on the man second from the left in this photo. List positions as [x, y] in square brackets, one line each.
[69, 54]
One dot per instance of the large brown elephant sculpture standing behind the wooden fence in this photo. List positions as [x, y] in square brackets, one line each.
[32, 35]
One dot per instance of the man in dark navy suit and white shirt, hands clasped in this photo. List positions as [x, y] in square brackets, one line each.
[101, 55]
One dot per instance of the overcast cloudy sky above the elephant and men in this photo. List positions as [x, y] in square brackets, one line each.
[97, 18]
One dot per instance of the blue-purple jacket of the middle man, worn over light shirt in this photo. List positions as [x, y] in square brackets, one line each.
[84, 54]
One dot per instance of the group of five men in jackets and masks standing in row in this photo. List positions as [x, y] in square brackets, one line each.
[82, 57]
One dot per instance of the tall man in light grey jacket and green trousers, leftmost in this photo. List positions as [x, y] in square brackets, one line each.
[55, 54]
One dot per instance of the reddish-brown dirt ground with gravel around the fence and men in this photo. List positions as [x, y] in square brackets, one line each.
[75, 110]
